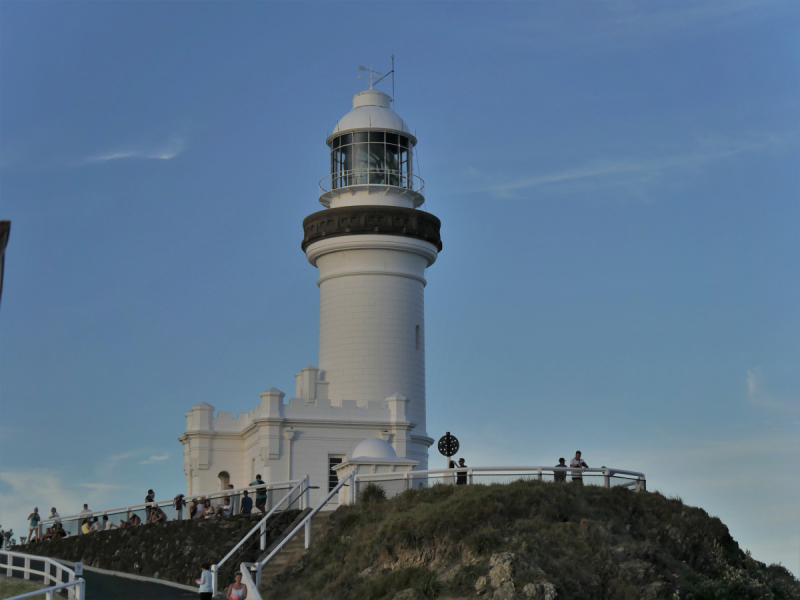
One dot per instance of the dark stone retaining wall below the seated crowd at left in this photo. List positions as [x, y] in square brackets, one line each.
[172, 551]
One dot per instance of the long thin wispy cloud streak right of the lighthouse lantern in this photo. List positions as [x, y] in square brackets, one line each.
[621, 171]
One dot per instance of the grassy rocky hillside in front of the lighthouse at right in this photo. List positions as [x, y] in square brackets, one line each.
[527, 540]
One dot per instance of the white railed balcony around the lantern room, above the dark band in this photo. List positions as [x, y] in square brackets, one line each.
[385, 182]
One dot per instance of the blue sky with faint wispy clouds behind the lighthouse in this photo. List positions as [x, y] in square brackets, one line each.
[618, 189]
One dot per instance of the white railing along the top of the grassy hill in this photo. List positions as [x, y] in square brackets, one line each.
[395, 483]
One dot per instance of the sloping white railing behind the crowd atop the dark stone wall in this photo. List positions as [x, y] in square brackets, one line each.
[72, 523]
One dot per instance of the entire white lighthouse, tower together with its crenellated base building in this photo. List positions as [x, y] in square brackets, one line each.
[371, 247]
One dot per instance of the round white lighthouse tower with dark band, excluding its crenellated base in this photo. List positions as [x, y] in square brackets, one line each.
[372, 247]
